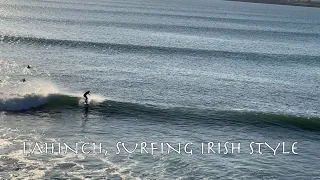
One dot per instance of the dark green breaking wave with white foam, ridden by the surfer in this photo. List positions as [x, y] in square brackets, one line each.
[182, 115]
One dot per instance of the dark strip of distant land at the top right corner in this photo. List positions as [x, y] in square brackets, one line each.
[307, 3]
